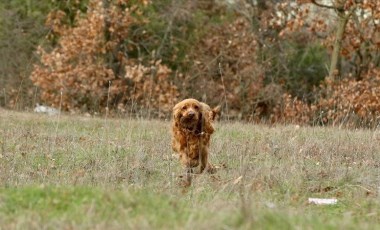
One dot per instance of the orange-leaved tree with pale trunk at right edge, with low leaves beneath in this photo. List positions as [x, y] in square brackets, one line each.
[350, 97]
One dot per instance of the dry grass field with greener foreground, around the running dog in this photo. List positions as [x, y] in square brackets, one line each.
[93, 173]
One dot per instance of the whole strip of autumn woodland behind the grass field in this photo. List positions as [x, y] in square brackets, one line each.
[311, 62]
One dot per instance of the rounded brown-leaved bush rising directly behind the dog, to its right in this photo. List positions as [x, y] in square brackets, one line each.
[224, 68]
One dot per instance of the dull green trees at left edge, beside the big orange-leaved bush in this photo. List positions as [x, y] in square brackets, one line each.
[22, 29]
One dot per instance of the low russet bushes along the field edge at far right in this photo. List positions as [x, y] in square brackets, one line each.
[349, 102]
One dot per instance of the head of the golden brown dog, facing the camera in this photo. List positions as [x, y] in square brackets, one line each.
[188, 114]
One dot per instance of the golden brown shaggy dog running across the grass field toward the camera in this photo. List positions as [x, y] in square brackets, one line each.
[191, 131]
